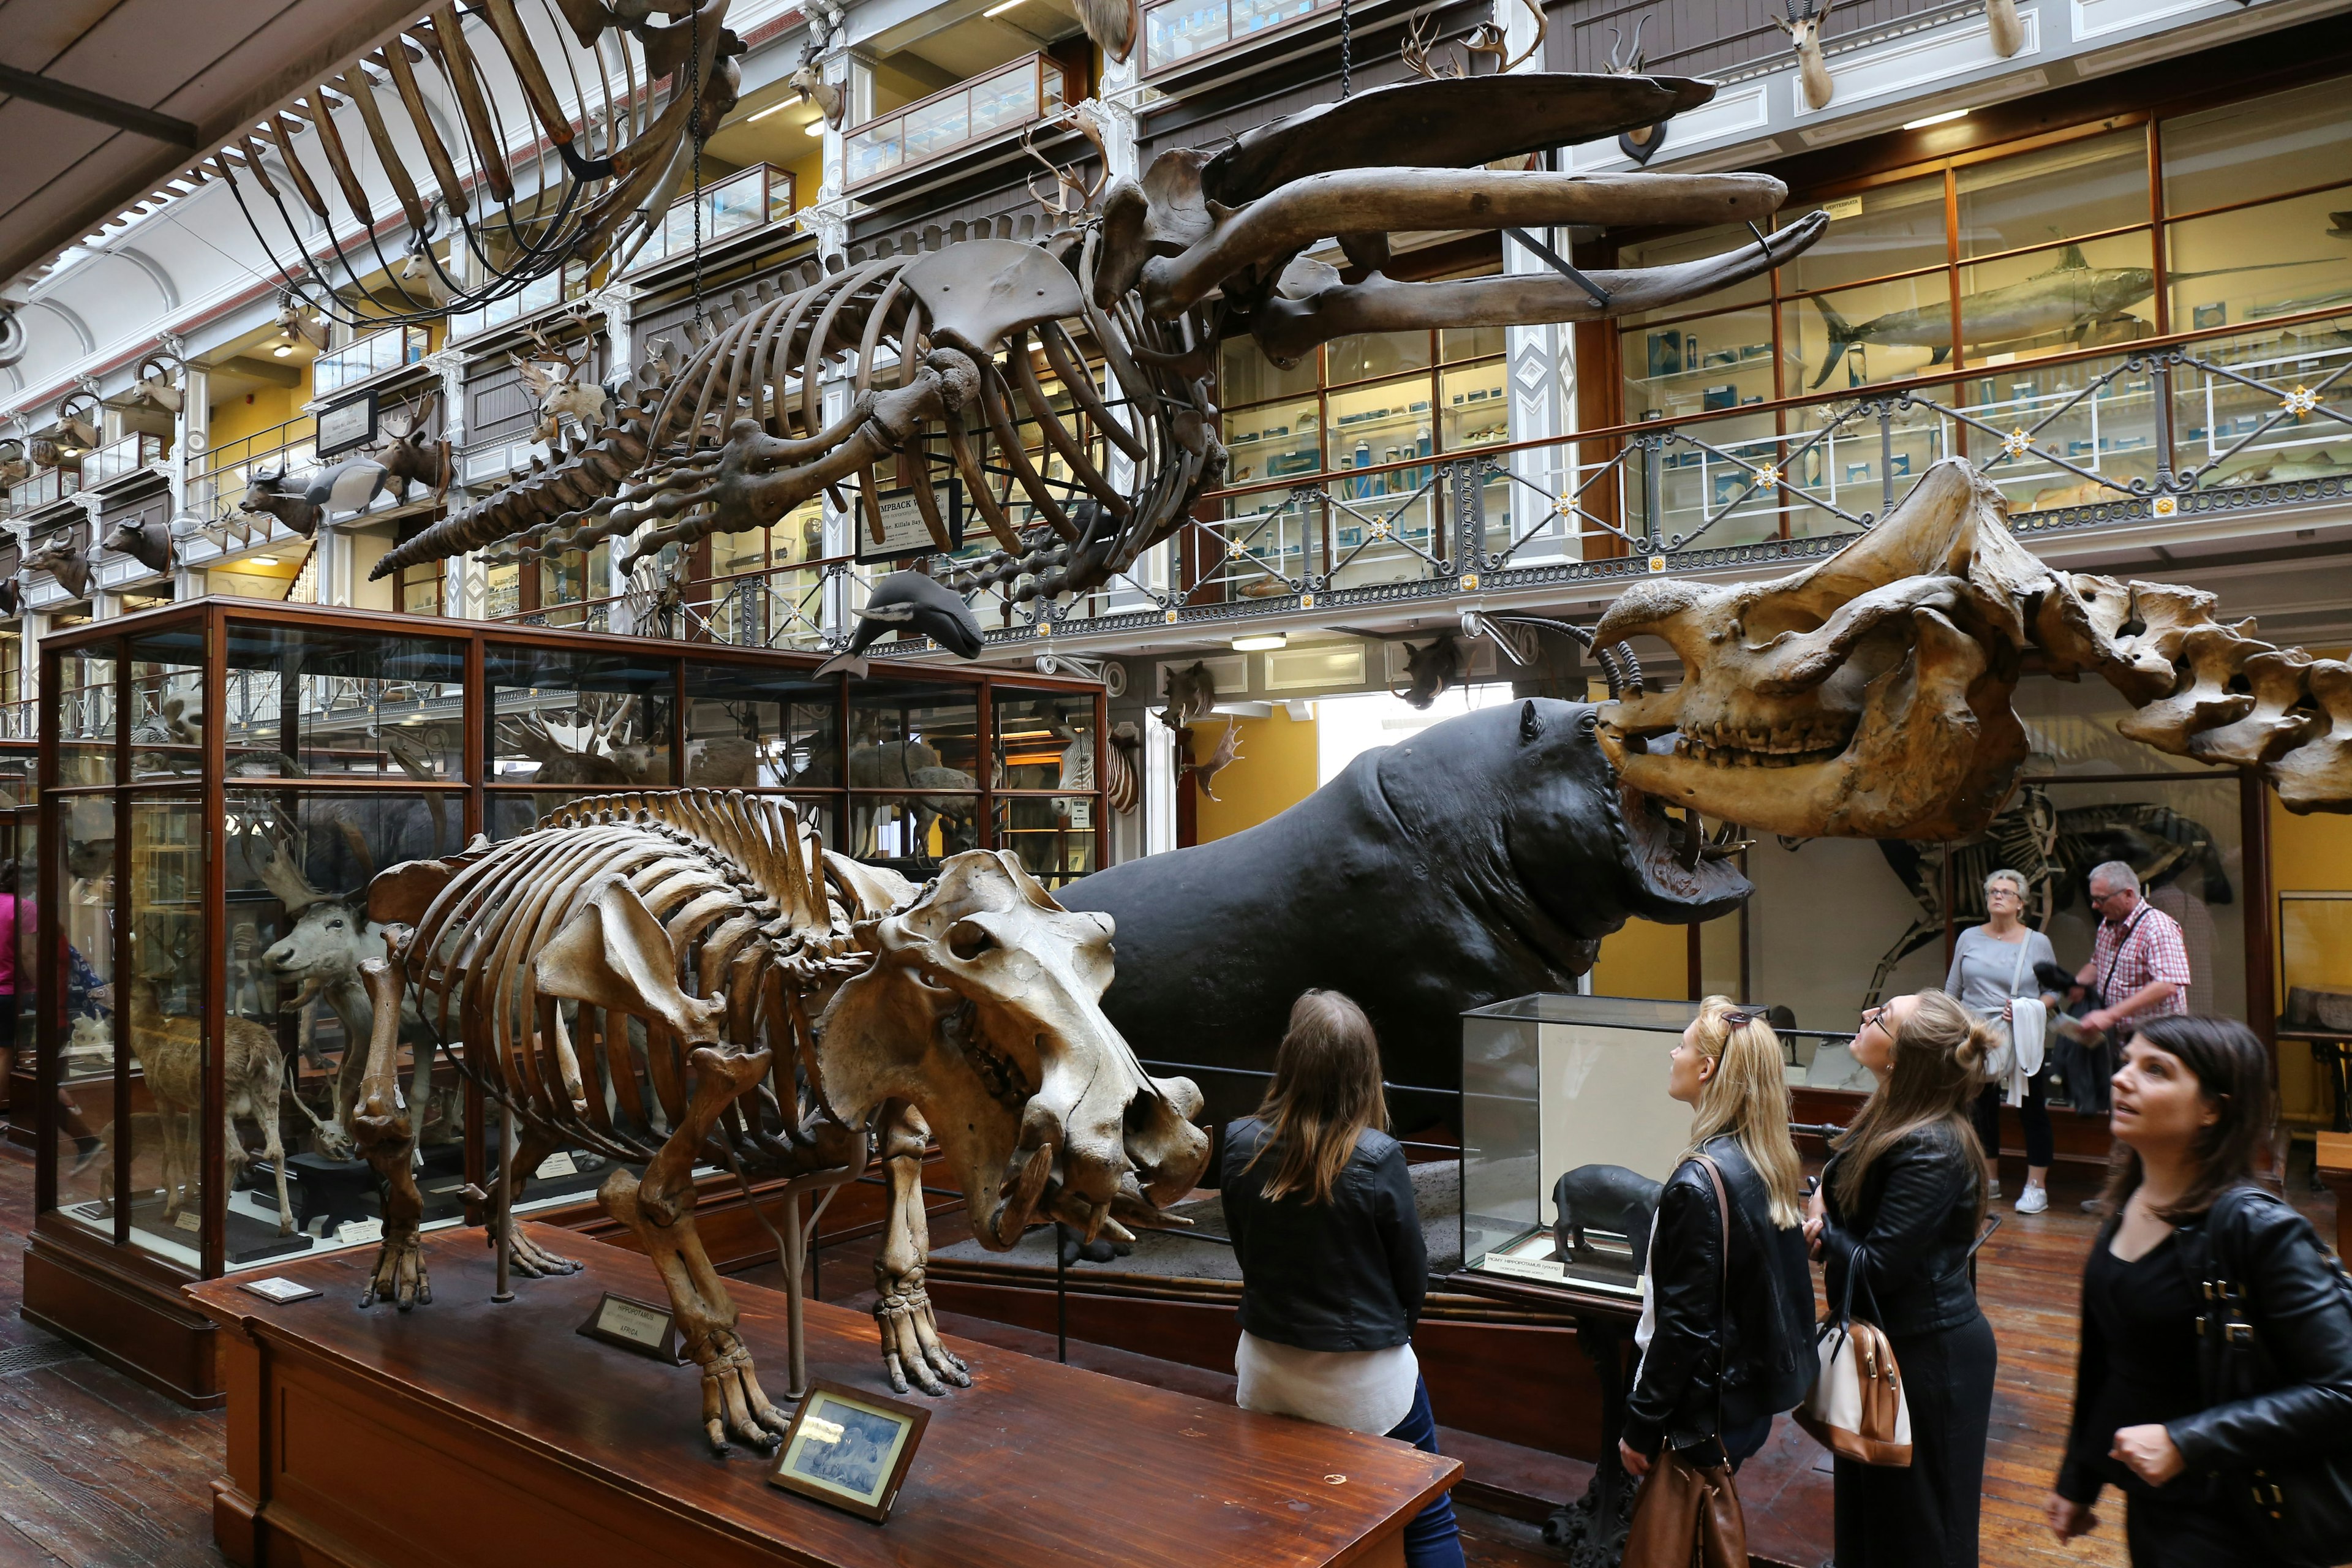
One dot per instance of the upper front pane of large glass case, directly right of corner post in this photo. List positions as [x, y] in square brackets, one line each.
[330, 704]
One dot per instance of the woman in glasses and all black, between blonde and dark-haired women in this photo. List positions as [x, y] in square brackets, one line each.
[1897, 1214]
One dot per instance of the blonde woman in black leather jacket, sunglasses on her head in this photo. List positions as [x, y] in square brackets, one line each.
[1711, 1374]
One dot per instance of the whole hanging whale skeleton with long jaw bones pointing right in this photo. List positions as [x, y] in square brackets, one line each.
[951, 349]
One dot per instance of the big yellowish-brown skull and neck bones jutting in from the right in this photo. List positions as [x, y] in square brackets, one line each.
[1869, 695]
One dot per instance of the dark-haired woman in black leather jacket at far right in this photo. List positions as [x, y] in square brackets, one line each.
[2196, 1266]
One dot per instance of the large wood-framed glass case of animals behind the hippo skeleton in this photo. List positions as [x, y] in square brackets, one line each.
[196, 996]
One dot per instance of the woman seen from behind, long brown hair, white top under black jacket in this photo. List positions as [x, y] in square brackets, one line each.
[1323, 1224]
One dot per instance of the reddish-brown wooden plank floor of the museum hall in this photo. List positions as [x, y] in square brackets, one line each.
[98, 1473]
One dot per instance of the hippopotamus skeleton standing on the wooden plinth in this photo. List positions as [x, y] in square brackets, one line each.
[690, 977]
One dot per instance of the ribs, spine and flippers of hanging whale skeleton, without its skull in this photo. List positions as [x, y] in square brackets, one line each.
[944, 375]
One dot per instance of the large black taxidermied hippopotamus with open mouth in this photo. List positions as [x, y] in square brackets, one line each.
[1478, 862]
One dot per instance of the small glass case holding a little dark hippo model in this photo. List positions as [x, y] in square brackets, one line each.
[1568, 1087]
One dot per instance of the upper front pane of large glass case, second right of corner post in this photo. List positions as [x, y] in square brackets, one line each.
[563, 718]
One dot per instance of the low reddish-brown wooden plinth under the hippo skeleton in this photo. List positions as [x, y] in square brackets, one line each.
[476, 1433]
